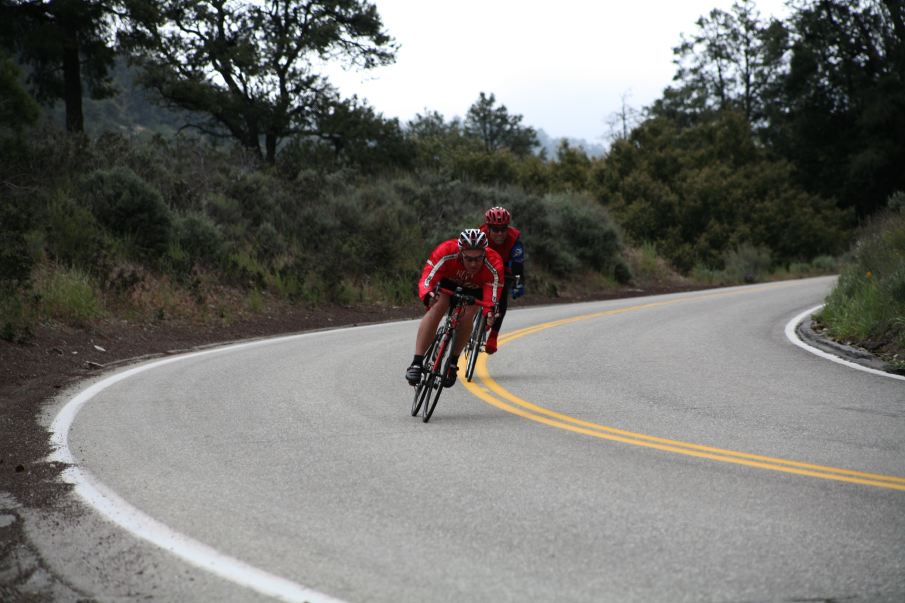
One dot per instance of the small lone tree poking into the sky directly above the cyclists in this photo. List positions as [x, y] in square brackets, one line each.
[497, 128]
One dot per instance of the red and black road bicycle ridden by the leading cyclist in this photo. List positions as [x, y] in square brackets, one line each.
[439, 353]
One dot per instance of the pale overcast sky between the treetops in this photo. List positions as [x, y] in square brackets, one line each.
[563, 65]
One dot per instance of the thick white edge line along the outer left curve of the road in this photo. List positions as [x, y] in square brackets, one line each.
[109, 504]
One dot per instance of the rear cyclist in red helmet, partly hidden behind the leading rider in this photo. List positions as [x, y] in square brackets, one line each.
[505, 240]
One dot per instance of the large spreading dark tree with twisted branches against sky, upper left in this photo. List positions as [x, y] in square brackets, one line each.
[252, 66]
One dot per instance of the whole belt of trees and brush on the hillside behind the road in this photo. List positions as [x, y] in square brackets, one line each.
[759, 162]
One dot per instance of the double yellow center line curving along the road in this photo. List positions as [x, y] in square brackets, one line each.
[491, 392]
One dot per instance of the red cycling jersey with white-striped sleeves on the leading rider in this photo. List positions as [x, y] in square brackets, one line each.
[446, 263]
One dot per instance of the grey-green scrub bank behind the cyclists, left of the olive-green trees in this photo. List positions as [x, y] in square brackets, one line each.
[160, 229]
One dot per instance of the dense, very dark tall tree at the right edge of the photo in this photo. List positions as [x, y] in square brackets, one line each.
[844, 100]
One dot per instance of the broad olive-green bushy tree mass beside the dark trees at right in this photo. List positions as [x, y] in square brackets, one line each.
[698, 192]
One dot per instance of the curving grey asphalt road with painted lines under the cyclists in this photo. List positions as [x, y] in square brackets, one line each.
[676, 448]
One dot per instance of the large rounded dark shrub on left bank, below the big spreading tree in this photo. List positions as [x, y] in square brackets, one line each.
[129, 207]
